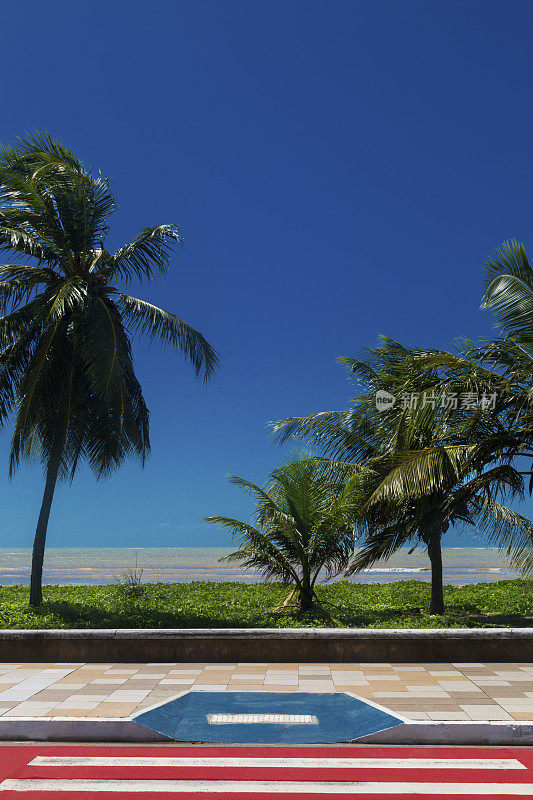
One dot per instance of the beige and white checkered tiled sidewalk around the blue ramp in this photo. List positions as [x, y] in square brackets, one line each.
[417, 691]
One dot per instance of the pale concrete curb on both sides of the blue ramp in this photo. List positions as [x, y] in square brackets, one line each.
[72, 729]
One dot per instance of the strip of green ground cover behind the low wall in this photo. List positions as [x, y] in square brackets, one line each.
[226, 605]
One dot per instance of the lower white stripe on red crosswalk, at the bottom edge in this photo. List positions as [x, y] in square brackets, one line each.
[271, 787]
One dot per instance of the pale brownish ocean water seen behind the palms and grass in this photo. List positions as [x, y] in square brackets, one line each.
[165, 564]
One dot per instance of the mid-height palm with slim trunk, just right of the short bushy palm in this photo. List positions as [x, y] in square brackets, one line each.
[418, 468]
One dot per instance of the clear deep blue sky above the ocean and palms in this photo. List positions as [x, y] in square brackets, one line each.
[339, 169]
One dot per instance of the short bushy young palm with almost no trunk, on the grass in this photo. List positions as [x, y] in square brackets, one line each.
[302, 528]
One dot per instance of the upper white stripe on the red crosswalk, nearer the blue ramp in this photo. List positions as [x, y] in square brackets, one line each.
[306, 763]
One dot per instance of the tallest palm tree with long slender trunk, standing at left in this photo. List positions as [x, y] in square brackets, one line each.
[66, 364]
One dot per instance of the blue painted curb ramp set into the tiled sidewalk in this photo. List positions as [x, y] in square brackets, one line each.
[341, 718]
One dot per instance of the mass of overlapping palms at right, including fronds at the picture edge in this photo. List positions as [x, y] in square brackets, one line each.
[438, 439]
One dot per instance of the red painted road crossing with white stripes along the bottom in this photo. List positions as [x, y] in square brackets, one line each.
[195, 772]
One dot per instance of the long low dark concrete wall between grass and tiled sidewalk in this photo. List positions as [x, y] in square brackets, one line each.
[268, 644]
